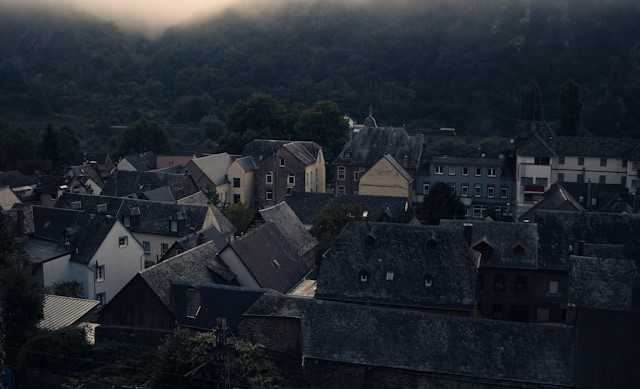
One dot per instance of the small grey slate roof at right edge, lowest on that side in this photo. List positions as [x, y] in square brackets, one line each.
[603, 283]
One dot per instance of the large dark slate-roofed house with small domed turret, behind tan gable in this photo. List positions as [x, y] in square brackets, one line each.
[366, 147]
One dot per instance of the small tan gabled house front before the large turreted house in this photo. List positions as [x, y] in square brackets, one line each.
[386, 178]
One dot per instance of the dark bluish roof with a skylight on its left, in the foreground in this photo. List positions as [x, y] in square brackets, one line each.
[216, 301]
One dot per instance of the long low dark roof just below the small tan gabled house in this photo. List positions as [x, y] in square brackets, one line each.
[308, 206]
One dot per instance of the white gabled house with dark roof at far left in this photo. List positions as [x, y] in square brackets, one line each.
[94, 250]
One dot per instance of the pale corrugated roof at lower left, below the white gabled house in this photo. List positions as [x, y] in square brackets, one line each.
[61, 312]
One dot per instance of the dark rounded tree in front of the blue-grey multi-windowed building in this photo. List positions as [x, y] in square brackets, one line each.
[440, 203]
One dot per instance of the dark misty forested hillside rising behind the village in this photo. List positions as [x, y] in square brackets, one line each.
[427, 63]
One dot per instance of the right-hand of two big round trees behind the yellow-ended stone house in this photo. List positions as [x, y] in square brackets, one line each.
[324, 124]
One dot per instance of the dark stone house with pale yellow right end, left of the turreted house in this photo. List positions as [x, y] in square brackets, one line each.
[285, 168]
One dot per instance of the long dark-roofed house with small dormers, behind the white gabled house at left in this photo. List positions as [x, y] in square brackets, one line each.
[156, 225]
